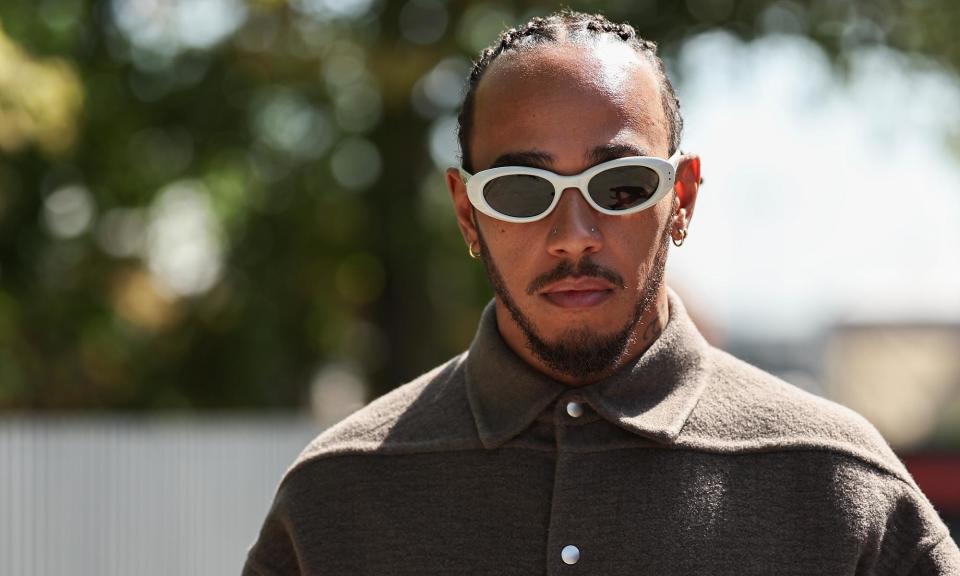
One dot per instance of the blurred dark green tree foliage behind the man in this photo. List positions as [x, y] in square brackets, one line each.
[202, 204]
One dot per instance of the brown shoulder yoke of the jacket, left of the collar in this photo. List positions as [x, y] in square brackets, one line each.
[431, 413]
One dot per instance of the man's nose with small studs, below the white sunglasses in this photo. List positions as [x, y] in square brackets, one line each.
[574, 227]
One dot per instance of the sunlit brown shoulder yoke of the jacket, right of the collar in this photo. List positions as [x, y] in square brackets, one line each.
[745, 409]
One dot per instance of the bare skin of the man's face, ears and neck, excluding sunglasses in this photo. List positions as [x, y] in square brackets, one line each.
[566, 107]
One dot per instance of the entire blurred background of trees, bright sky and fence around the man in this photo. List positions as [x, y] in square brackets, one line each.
[223, 226]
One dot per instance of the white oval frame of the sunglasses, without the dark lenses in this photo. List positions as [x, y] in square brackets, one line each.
[665, 169]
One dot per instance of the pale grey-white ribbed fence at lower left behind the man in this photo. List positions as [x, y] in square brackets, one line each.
[105, 496]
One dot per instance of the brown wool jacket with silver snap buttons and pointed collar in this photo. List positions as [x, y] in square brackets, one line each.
[687, 461]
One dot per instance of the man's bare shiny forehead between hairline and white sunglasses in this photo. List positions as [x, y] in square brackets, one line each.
[568, 99]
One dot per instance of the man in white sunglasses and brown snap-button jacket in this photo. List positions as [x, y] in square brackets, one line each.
[590, 429]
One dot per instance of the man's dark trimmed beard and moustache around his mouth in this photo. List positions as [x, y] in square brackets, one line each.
[580, 352]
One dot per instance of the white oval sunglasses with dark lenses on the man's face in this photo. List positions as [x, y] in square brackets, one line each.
[619, 187]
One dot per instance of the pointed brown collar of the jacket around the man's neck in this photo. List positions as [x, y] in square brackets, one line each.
[652, 396]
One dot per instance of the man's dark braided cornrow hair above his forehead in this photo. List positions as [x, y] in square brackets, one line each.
[557, 27]
